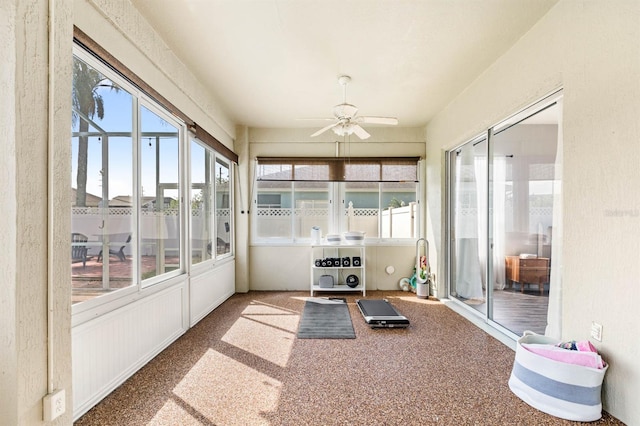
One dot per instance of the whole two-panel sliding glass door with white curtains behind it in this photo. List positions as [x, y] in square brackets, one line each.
[504, 204]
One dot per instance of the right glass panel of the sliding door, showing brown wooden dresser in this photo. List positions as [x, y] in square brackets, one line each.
[522, 186]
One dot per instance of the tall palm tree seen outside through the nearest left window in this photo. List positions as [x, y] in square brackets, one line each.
[86, 100]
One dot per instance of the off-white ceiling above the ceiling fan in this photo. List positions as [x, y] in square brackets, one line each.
[271, 62]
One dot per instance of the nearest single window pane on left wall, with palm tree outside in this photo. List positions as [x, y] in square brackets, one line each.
[102, 183]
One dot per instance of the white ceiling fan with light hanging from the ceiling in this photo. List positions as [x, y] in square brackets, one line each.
[346, 120]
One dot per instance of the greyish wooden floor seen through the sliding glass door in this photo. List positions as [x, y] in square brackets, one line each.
[518, 311]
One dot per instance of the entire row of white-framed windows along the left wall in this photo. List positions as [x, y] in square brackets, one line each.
[128, 214]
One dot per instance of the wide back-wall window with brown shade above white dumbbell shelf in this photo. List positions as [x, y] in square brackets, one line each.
[377, 196]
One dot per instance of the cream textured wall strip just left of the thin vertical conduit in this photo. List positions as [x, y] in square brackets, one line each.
[31, 217]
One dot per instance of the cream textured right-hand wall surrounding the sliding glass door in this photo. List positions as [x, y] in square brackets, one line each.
[592, 50]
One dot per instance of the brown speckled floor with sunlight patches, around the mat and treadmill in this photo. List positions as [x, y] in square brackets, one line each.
[243, 365]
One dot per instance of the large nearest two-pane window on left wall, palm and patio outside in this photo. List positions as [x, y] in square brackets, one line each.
[126, 219]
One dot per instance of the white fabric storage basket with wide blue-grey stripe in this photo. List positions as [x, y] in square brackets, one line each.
[568, 391]
